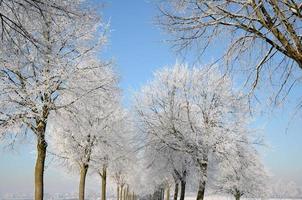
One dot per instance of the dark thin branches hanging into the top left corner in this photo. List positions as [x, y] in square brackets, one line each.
[15, 15]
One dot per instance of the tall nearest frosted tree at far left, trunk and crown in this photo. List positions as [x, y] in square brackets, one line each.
[33, 81]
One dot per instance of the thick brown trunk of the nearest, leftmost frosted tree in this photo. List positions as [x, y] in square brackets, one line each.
[40, 161]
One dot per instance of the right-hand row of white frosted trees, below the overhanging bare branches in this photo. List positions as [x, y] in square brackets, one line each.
[196, 127]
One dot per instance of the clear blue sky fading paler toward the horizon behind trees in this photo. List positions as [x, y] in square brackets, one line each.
[136, 45]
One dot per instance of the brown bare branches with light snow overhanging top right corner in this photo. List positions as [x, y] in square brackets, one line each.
[263, 37]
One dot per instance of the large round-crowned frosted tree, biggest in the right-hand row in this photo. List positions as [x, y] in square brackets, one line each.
[195, 111]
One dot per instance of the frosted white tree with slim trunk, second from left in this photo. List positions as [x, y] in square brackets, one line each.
[81, 130]
